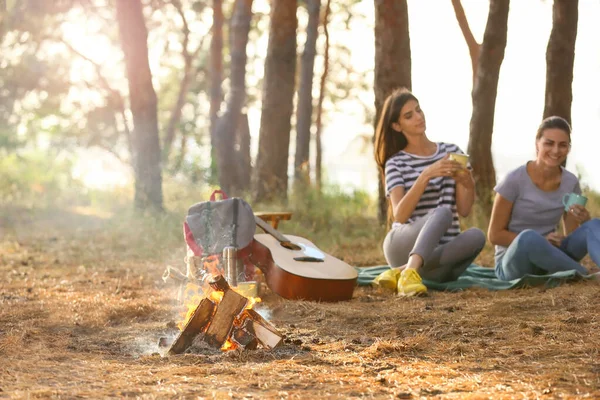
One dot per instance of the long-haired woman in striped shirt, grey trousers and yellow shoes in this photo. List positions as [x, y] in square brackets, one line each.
[427, 192]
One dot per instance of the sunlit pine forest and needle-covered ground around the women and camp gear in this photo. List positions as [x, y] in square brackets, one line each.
[117, 115]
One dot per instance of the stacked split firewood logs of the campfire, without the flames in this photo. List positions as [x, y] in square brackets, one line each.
[226, 324]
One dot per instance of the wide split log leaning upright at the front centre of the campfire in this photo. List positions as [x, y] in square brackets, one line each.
[222, 323]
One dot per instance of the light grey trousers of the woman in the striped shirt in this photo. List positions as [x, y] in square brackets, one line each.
[442, 263]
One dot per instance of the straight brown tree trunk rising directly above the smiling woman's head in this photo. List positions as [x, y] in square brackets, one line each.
[560, 56]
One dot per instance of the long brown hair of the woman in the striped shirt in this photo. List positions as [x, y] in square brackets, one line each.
[387, 140]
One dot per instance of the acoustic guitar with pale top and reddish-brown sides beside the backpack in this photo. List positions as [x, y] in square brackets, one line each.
[296, 269]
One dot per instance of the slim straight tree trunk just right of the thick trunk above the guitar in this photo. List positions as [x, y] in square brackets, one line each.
[305, 106]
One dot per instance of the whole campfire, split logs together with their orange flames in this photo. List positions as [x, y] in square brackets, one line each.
[222, 315]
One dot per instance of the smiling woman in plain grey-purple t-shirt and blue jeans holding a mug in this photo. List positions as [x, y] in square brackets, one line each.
[528, 208]
